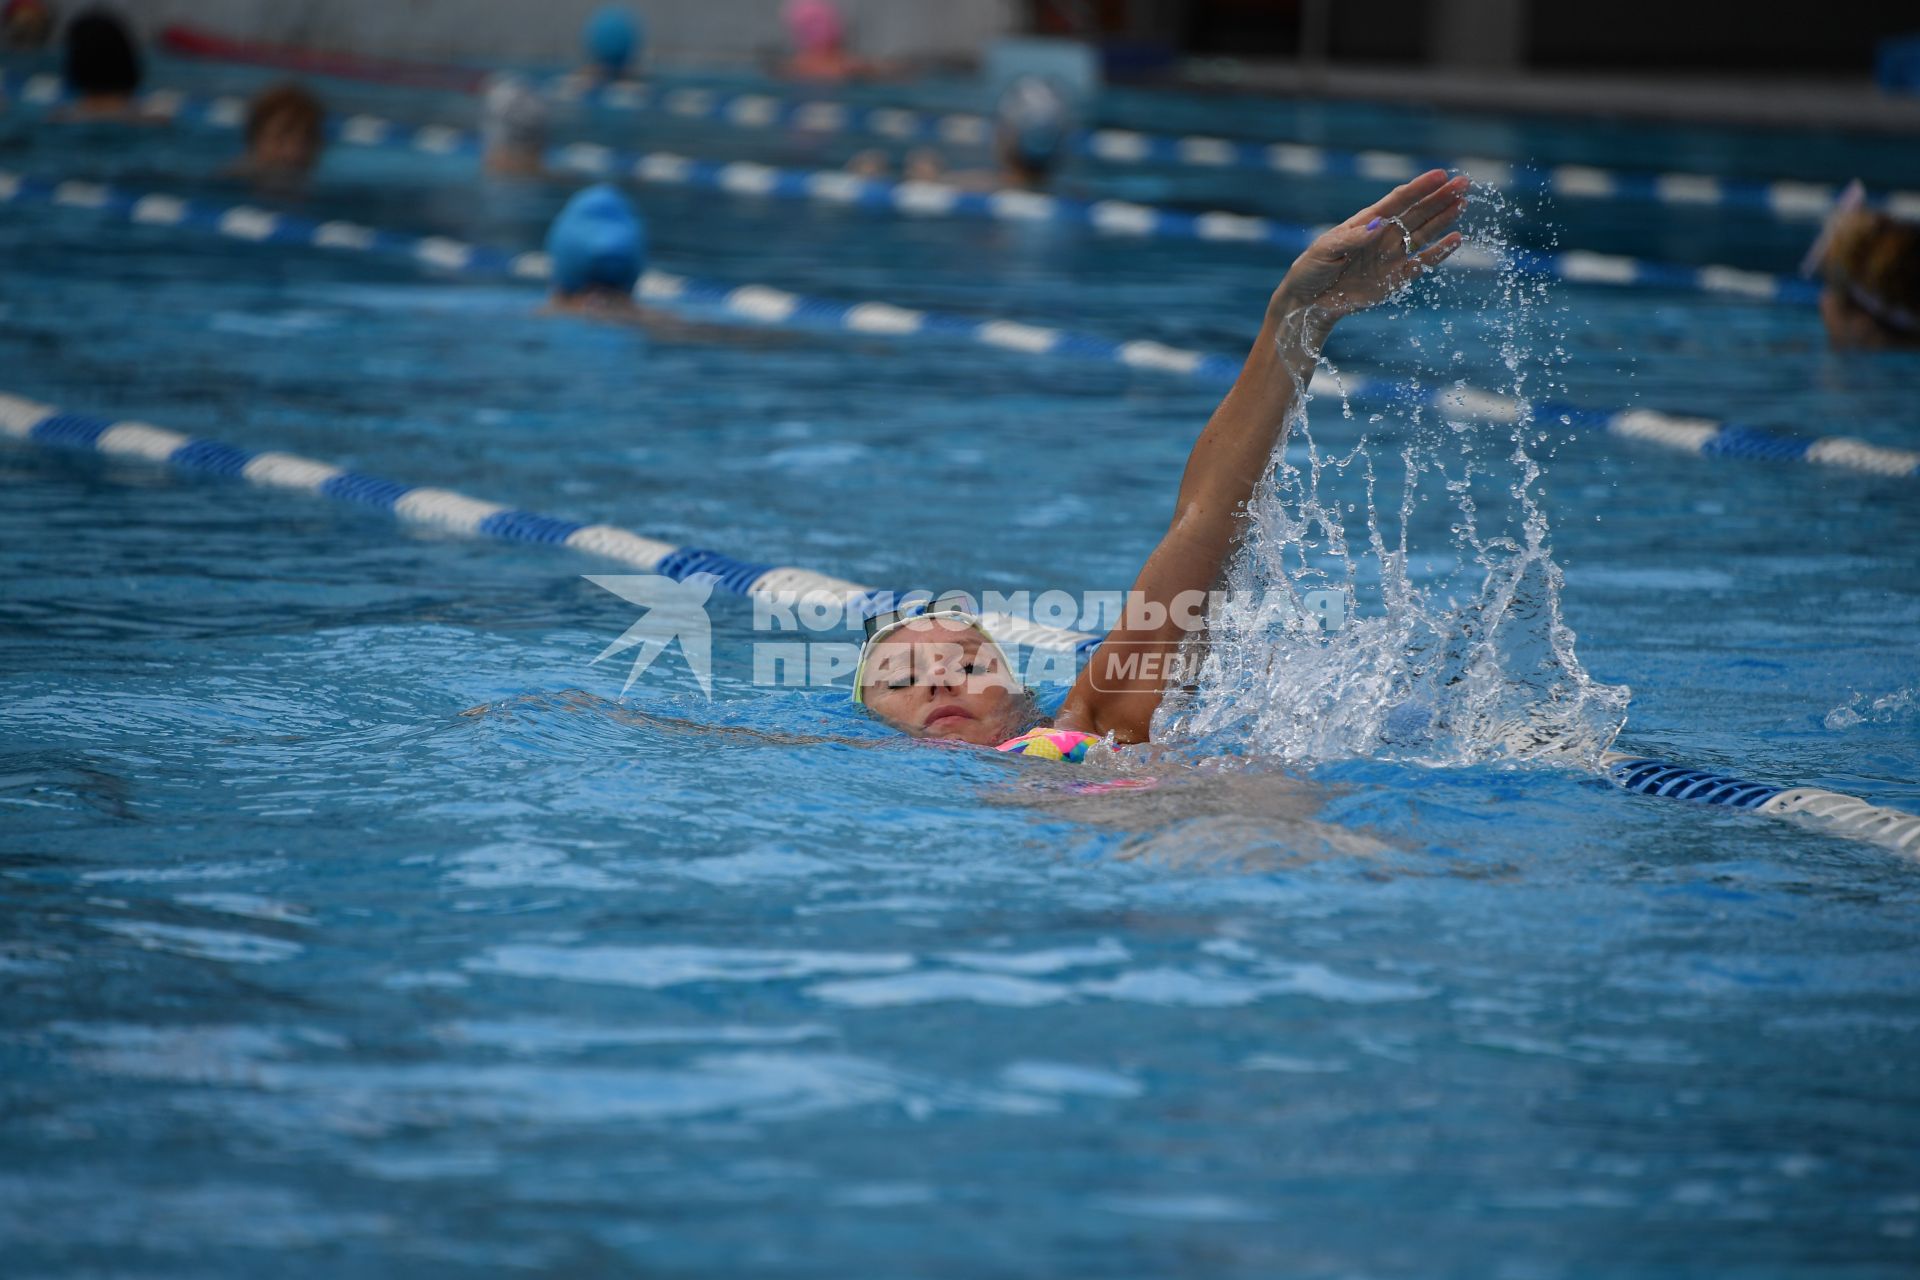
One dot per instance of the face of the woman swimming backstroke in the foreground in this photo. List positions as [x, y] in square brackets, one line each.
[942, 678]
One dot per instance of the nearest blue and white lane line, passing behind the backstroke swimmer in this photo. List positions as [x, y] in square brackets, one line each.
[456, 513]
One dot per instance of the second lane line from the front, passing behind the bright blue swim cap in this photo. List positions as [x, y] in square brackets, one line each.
[765, 306]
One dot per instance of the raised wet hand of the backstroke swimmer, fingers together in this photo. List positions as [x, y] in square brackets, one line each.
[1372, 254]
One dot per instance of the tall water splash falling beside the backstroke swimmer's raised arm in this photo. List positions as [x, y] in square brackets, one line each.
[1435, 525]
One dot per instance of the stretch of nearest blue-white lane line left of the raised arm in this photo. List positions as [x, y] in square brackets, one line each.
[456, 513]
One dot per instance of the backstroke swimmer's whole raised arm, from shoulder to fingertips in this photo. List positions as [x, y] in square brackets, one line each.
[1355, 266]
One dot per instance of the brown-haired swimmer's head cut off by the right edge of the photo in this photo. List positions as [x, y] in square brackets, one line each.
[1871, 266]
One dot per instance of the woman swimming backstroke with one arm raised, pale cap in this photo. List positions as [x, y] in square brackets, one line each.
[942, 676]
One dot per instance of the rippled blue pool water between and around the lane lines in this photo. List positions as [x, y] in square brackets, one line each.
[354, 924]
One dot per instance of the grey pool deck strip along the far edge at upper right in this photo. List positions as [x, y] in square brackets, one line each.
[1758, 101]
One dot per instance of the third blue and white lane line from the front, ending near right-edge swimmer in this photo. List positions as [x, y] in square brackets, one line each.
[940, 201]
